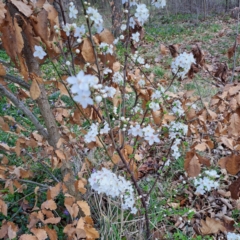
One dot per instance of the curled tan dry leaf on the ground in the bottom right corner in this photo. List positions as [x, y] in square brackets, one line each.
[211, 226]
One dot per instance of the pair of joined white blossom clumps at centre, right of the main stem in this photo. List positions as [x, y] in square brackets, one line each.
[147, 132]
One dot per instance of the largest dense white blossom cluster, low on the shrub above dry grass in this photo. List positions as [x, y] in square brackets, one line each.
[105, 181]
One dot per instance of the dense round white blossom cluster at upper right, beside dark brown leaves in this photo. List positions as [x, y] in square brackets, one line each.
[182, 64]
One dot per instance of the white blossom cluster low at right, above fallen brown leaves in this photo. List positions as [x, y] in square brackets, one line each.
[205, 184]
